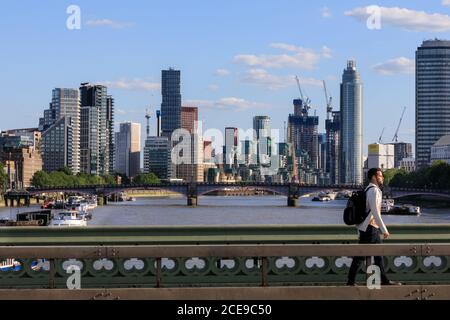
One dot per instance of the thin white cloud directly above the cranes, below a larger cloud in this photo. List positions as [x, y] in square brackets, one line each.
[273, 82]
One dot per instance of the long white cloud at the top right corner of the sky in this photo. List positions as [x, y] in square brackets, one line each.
[407, 19]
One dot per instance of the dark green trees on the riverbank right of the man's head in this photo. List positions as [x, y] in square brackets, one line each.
[436, 176]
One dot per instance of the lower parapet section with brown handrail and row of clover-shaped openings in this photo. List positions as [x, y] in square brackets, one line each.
[217, 265]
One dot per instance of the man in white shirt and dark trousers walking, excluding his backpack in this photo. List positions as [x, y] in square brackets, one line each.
[371, 228]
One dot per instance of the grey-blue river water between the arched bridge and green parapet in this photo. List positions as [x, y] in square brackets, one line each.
[223, 210]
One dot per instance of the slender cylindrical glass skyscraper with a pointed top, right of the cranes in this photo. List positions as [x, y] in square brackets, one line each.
[351, 105]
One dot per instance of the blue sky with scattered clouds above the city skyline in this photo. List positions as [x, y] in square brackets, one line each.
[237, 58]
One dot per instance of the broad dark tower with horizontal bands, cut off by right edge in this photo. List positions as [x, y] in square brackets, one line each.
[432, 97]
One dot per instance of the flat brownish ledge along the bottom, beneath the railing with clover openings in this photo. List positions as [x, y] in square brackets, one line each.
[332, 292]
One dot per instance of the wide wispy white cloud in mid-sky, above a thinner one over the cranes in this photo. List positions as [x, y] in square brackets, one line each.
[302, 58]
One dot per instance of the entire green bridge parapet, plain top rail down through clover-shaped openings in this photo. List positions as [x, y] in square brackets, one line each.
[210, 256]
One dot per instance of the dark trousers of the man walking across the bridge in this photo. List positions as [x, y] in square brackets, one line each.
[371, 235]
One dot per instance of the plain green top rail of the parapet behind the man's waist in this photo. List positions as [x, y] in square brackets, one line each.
[218, 234]
